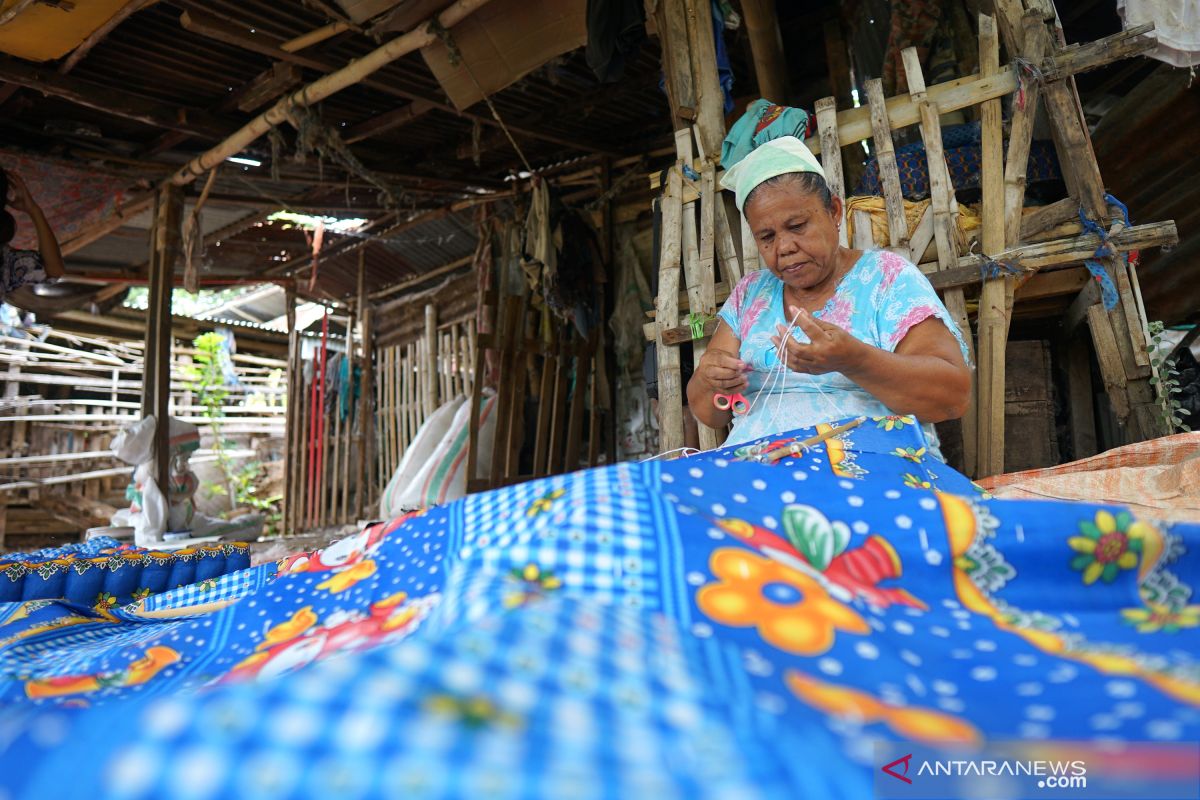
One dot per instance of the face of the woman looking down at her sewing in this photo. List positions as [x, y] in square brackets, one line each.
[796, 233]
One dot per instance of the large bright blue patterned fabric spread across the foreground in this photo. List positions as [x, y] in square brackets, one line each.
[728, 625]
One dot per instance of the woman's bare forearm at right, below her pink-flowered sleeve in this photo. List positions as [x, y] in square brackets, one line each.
[927, 387]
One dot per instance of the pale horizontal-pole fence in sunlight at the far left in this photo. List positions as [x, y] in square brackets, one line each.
[67, 396]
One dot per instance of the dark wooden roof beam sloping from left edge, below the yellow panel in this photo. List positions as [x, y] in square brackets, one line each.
[115, 101]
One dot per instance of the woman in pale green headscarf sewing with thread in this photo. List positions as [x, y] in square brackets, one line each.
[825, 333]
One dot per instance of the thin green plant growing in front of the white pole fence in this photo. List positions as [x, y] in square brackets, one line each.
[207, 380]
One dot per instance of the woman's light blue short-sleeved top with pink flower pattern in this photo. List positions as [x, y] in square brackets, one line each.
[879, 302]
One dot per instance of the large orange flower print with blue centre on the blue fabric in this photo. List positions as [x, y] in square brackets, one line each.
[791, 611]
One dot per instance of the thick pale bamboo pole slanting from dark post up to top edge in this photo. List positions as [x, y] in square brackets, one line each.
[321, 89]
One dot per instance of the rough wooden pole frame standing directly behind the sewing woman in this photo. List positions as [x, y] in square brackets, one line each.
[1010, 236]
